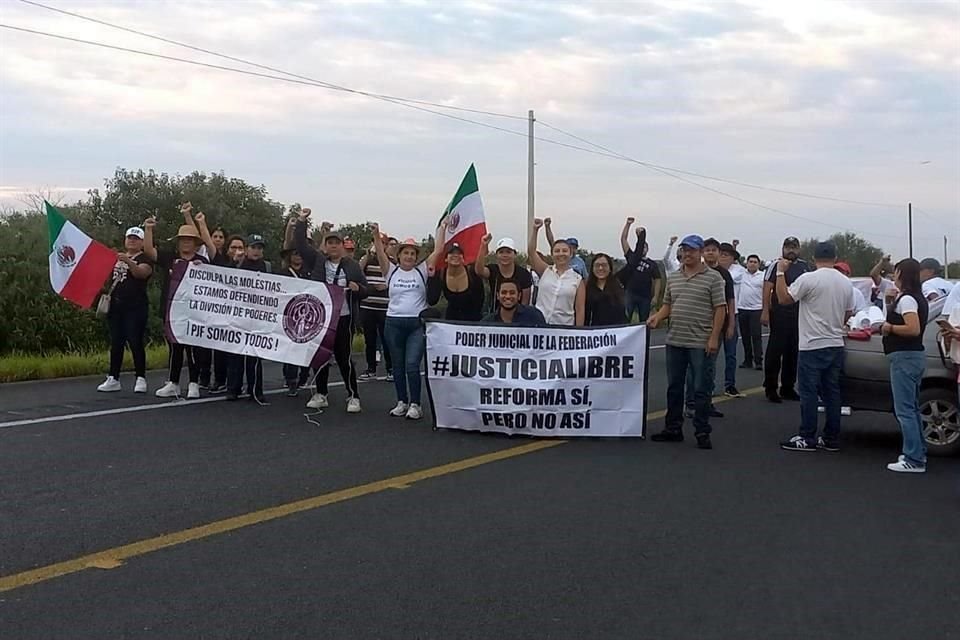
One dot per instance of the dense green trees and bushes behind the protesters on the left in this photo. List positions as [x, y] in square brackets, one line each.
[36, 320]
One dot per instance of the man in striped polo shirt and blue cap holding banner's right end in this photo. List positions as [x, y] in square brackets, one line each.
[696, 306]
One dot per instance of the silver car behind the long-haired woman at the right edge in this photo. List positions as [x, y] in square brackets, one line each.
[866, 385]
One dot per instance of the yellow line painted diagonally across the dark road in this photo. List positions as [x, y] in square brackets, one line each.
[112, 558]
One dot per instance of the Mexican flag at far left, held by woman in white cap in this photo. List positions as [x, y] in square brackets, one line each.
[78, 265]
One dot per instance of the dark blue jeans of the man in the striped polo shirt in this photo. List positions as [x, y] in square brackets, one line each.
[680, 361]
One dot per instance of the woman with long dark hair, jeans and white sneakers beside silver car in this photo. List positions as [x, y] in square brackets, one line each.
[903, 345]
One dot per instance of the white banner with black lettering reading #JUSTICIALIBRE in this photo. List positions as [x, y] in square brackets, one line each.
[538, 381]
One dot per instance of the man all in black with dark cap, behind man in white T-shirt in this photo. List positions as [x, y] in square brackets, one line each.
[783, 346]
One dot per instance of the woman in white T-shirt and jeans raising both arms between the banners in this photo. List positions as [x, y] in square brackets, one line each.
[403, 332]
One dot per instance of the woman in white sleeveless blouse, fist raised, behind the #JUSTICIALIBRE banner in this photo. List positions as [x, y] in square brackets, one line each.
[561, 290]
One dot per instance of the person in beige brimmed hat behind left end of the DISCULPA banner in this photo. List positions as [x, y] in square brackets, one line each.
[188, 241]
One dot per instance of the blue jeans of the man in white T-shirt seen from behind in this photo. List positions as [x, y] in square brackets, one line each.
[818, 373]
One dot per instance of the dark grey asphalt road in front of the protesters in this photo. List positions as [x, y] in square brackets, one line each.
[251, 522]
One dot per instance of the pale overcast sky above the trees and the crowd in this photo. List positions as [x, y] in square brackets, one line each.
[857, 100]
